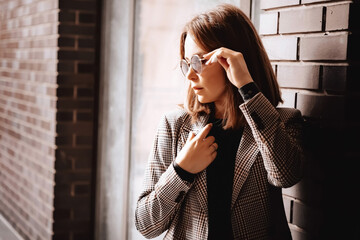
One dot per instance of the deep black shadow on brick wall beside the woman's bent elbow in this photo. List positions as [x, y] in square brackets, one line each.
[330, 182]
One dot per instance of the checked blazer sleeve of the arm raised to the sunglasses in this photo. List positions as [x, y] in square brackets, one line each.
[278, 137]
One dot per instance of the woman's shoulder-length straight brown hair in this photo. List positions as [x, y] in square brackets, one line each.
[227, 26]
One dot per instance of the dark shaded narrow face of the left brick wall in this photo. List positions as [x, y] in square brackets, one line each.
[77, 93]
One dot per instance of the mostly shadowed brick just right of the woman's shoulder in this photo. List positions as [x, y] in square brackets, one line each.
[329, 108]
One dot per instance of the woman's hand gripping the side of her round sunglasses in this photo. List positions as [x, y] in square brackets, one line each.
[234, 64]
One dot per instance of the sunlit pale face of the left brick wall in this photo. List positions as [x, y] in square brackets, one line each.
[28, 78]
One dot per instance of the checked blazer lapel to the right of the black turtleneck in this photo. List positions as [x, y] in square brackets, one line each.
[245, 157]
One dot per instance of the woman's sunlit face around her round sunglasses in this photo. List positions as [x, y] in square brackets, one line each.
[209, 85]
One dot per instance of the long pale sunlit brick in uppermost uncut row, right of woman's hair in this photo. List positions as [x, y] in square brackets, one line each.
[302, 20]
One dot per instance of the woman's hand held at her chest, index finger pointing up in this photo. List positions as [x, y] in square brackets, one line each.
[198, 152]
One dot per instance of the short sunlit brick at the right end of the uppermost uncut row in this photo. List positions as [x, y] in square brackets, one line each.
[337, 17]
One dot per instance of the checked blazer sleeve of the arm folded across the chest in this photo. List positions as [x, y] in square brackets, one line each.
[163, 189]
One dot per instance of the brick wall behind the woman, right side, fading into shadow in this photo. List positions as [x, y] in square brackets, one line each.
[313, 48]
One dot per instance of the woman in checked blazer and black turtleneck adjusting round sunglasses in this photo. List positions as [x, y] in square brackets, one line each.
[218, 164]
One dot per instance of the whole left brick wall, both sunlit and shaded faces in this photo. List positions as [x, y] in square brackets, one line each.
[49, 53]
